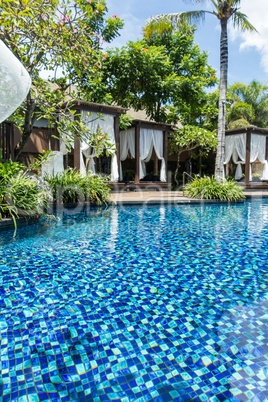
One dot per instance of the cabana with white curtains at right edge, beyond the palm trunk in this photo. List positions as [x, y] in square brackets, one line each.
[245, 146]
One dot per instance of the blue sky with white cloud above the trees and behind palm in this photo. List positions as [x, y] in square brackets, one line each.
[248, 52]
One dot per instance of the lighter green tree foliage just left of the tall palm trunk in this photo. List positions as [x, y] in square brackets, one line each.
[195, 75]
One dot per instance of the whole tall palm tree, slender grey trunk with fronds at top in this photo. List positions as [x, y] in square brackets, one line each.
[224, 10]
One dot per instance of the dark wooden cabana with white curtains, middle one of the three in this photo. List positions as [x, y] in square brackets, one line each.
[140, 141]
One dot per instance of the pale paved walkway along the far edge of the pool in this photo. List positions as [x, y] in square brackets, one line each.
[172, 197]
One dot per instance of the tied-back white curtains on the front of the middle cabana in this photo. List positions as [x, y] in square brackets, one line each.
[149, 140]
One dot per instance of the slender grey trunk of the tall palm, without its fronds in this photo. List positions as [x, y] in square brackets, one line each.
[219, 166]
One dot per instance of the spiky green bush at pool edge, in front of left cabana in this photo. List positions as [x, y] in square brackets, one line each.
[71, 186]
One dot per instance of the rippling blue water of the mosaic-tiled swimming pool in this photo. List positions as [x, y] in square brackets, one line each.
[156, 303]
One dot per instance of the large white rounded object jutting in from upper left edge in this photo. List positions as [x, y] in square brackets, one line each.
[15, 82]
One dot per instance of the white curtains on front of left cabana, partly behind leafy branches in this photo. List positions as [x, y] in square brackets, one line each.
[93, 122]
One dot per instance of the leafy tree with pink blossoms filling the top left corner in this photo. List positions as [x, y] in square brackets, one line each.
[52, 34]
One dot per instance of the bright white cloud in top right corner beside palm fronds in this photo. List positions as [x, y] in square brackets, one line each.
[257, 13]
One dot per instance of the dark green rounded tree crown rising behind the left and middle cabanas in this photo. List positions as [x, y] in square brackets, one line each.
[141, 77]
